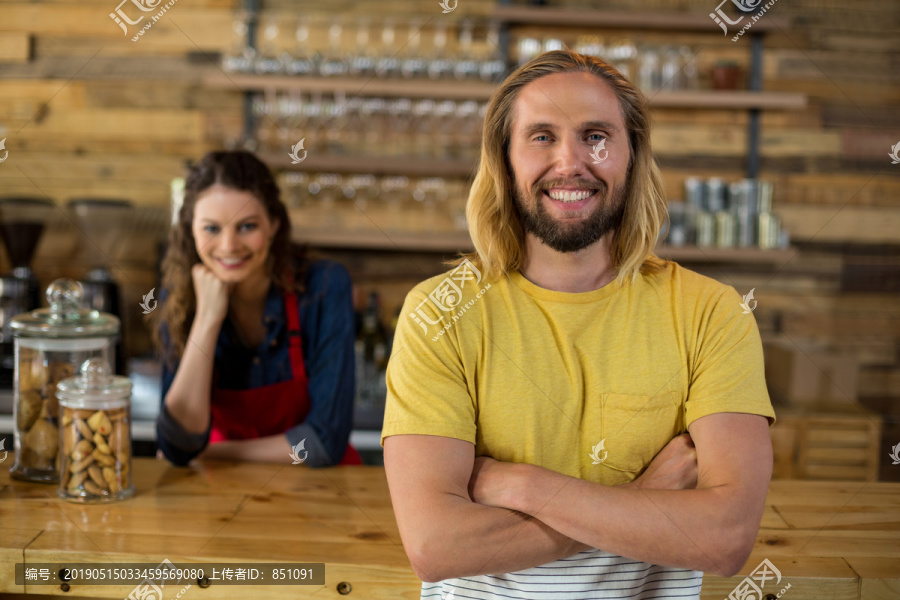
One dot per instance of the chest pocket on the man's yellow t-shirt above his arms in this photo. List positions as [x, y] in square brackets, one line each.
[636, 428]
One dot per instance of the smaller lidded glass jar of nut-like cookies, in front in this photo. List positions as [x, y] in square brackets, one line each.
[95, 435]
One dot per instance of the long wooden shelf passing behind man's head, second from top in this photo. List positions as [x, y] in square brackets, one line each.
[737, 99]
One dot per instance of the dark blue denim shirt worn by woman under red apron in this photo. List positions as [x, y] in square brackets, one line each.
[327, 336]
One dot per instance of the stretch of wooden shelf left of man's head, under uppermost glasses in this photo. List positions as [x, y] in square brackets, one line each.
[357, 86]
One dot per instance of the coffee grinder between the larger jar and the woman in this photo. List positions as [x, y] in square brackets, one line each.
[102, 224]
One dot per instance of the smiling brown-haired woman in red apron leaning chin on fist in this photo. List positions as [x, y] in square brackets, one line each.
[257, 341]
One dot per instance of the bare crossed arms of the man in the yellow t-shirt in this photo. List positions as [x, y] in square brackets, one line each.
[697, 506]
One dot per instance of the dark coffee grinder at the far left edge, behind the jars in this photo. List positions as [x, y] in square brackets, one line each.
[22, 221]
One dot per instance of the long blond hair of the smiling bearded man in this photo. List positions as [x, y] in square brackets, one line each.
[494, 222]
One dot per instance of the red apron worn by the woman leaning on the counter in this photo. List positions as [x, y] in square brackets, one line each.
[270, 409]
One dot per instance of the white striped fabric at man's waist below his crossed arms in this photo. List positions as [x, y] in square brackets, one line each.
[588, 575]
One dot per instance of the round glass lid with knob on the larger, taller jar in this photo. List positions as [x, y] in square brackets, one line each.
[65, 318]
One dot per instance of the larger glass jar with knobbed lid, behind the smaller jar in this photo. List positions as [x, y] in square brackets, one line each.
[50, 344]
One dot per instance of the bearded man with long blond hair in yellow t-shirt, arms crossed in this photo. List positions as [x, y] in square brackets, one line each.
[568, 415]
